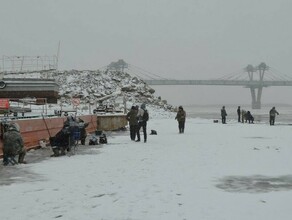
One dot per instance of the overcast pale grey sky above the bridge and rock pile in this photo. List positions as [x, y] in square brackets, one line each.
[191, 39]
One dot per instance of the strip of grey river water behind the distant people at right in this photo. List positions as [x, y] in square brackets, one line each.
[260, 115]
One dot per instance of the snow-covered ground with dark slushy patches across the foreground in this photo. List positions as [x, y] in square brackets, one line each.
[211, 172]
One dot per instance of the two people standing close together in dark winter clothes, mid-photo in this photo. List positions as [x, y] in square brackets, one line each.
[138, 118]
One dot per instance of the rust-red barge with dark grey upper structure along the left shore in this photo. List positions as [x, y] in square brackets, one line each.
[35, 127]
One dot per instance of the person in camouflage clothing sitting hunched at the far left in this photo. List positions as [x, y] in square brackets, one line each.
[13, 144]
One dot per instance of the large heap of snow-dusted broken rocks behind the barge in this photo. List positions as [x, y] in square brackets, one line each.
[106, 87]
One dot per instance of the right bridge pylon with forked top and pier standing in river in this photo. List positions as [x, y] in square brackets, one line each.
[256, 90]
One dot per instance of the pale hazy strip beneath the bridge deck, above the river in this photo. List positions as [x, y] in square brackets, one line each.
[220, 95]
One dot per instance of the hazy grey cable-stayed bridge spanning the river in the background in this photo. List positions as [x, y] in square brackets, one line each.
[253, 78]
